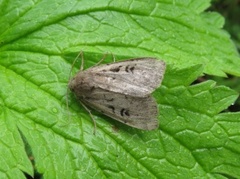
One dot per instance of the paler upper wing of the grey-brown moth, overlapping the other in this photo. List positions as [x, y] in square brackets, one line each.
[135, 77]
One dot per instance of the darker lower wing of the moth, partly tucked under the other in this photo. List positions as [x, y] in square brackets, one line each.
[137, 112]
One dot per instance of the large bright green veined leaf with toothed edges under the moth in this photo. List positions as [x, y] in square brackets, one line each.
[38, 43]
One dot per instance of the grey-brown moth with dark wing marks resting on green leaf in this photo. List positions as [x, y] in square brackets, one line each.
[122, 90]
